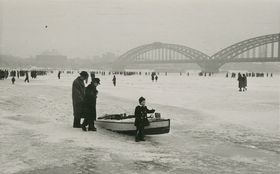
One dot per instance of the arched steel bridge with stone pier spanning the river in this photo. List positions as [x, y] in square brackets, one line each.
[259, 49]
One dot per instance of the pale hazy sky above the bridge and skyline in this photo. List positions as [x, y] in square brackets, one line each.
[83, 28]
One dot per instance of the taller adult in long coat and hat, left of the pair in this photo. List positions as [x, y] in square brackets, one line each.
[78, 95]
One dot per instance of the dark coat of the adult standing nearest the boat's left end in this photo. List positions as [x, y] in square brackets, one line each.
[90, 101]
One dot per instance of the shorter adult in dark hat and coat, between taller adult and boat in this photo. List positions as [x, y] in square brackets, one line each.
[90, 105]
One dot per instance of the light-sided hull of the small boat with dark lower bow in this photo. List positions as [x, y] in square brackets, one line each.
[157, 126]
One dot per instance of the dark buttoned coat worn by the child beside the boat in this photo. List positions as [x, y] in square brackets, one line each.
[141, 114]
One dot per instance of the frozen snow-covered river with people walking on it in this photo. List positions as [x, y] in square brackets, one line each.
[214, 128]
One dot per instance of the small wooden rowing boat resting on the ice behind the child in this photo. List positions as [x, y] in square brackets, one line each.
[125, 124]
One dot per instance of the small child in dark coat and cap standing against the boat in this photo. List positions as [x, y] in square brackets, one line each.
[141, 119]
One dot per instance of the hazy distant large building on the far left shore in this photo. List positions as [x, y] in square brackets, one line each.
[51, 59]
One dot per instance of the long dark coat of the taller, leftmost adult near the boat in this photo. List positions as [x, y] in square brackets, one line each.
[78, 94]
